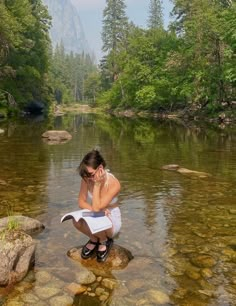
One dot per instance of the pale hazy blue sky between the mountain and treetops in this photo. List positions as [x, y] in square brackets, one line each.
[91, 15]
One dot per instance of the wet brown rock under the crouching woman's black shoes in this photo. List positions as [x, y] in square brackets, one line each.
[118, 259]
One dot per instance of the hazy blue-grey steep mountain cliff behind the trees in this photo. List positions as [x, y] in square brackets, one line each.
[66, 26]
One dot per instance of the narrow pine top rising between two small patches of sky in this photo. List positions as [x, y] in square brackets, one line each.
[155, 19]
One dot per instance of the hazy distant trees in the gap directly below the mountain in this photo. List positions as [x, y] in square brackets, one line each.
[71, 75]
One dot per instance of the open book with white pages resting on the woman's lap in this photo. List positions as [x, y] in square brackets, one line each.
[97, 221]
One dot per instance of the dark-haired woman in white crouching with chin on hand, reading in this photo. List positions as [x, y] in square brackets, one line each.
[98, 192]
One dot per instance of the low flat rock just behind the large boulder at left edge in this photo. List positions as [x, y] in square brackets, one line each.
[26, 224]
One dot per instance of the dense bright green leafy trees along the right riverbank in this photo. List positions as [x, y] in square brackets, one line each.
[191, 65]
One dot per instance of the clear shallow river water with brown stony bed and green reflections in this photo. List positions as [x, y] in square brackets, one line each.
[179, 227]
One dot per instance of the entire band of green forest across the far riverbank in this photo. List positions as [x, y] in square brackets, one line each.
[189, 66]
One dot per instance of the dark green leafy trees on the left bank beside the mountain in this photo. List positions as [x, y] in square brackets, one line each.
[24, 44]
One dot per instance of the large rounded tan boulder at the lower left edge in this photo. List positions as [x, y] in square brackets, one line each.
[17, 251]
